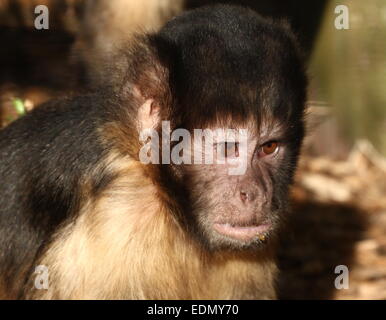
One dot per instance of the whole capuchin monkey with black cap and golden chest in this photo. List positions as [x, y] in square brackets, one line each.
[84, 216]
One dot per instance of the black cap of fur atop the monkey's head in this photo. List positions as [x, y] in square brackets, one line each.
[229, 61]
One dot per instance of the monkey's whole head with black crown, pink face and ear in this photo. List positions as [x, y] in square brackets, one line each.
[227, 68]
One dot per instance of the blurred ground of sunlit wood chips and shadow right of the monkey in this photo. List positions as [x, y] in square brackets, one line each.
[339, 218]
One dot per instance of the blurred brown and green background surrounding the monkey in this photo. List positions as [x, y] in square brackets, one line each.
[339, 196]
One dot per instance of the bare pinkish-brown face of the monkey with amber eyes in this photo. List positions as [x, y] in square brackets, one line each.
[240, 209]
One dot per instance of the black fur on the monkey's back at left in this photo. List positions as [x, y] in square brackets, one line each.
[43, 158]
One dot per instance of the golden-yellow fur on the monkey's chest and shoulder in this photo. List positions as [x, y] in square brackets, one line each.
[127, 245]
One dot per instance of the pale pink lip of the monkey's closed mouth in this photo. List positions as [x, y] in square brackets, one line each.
[243, 233]
